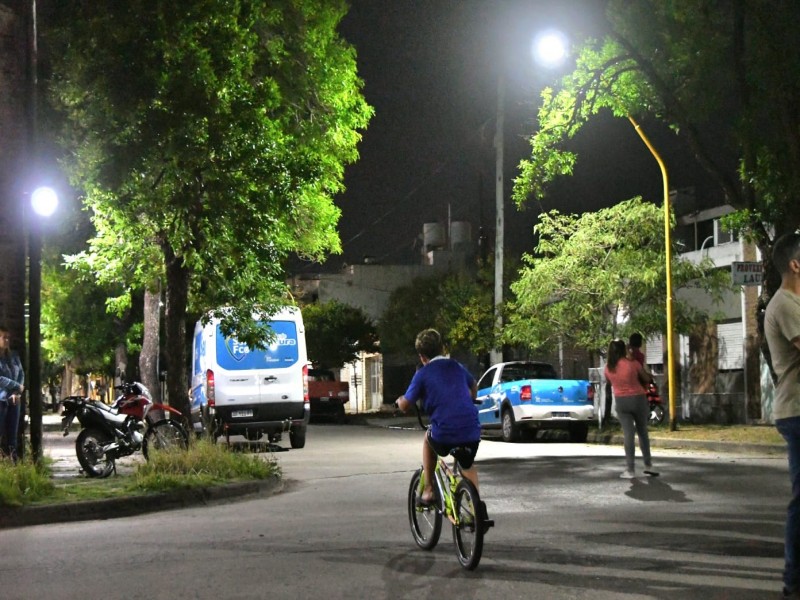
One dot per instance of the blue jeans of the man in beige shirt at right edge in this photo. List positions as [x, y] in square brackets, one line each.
[790, 430]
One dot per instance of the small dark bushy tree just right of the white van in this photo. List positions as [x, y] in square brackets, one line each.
[336, 333]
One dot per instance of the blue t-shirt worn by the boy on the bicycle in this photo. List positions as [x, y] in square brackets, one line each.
[446, 391]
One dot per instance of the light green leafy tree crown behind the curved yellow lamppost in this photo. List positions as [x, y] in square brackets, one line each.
[589, 271]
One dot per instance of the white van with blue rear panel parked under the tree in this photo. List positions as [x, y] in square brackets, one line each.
[238, 390]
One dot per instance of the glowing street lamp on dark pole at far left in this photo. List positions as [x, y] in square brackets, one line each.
[44, 202]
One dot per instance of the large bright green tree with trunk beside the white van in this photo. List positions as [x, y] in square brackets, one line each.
[209, 138]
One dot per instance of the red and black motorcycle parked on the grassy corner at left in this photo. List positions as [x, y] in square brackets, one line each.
[120, 429]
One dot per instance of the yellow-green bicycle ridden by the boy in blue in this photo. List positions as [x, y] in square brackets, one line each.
[458, 500]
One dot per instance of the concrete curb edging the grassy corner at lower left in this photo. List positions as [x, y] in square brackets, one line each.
[130, 506]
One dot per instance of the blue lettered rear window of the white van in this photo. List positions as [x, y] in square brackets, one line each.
[283, 352]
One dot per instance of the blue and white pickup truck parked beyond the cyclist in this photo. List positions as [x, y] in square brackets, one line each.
[525, 395]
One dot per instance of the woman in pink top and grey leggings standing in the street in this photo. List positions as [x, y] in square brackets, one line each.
[628, 379]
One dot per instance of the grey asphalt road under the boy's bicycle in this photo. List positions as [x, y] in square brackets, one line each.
[567, 527]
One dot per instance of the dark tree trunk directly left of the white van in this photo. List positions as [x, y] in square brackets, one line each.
[177, 293]
